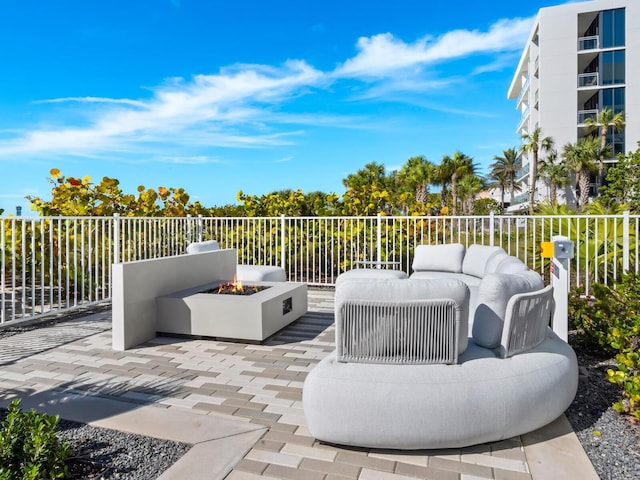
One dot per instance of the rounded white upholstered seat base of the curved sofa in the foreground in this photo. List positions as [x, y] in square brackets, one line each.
[481, 399]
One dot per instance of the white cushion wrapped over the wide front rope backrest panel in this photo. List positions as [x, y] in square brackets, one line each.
[411, 289]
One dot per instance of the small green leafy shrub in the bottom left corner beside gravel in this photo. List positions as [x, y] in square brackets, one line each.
[30, 448]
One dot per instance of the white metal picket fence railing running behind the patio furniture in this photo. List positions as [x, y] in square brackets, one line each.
[52, 264]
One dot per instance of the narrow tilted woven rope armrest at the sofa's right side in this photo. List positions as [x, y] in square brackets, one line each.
[526, 322]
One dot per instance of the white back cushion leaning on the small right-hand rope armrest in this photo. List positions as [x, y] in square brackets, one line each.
[491, 303]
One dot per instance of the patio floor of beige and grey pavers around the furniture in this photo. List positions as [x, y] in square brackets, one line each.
[248, 397]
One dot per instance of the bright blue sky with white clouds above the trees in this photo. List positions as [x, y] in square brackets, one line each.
[217, 96]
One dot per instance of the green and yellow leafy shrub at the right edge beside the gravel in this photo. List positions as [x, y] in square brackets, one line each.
[610, 320]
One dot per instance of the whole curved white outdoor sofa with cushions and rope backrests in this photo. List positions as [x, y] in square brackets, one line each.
[405, 374]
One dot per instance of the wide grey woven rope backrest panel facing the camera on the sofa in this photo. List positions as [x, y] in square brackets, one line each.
[403, 332]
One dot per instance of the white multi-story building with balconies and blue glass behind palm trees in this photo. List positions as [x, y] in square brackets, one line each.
[579, 58]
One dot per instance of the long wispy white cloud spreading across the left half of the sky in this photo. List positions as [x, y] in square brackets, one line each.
[227, 109]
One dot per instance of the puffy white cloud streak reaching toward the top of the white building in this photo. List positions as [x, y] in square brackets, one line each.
[384, 55]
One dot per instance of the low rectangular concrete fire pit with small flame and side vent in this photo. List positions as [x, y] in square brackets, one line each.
[252, 317]
